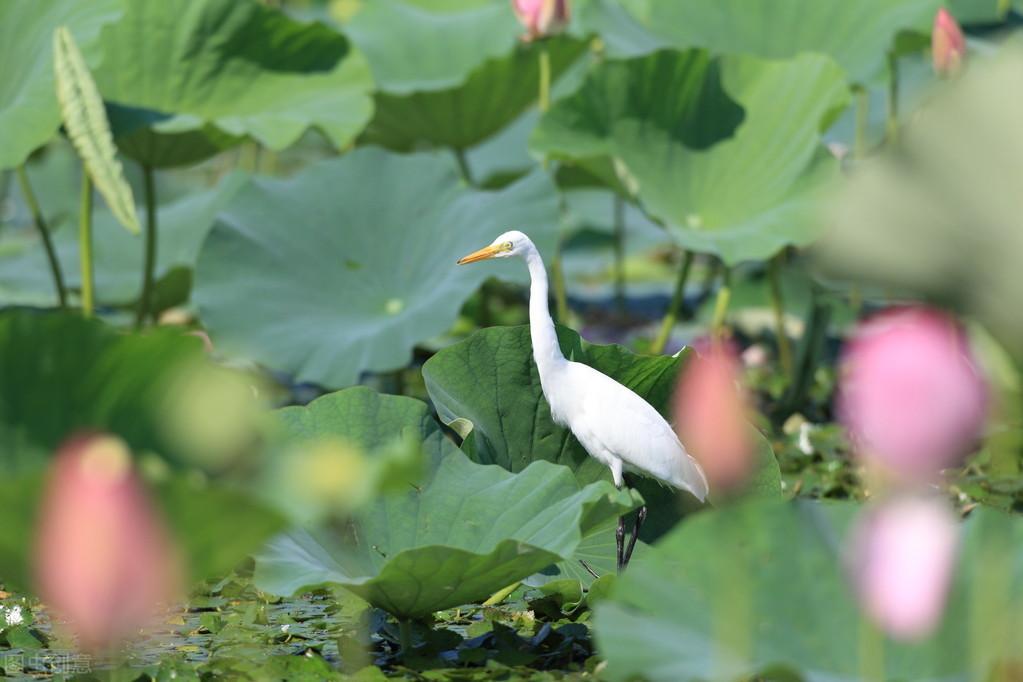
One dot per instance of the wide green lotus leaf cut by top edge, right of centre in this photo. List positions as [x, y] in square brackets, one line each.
[857, 35]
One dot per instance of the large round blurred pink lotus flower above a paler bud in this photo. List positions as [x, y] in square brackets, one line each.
[911, 396]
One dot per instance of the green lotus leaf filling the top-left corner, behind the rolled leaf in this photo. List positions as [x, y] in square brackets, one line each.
[29, 113]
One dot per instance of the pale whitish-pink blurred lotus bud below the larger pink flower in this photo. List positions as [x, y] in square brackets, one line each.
[903, 557]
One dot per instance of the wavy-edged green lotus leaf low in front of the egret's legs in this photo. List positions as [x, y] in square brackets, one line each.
[459, 535]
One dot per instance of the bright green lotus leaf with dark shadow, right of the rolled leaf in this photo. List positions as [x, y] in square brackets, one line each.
[181, 67]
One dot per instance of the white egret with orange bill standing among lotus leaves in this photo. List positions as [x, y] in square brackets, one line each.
[614, 425]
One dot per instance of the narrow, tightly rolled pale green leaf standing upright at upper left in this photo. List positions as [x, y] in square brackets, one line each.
[85, 121]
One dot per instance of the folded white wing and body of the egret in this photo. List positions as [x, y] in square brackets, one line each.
[630, 428]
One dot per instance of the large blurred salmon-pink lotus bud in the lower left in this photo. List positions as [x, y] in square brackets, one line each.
[104, 561]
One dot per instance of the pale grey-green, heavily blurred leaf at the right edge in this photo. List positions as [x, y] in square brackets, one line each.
[940, 215]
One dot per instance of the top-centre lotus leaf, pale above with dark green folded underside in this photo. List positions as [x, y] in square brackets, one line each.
[450, 74]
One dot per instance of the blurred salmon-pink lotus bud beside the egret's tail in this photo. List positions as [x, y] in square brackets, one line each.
[710, 416]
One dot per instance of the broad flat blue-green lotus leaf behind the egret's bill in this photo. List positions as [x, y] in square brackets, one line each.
[327, 277]
